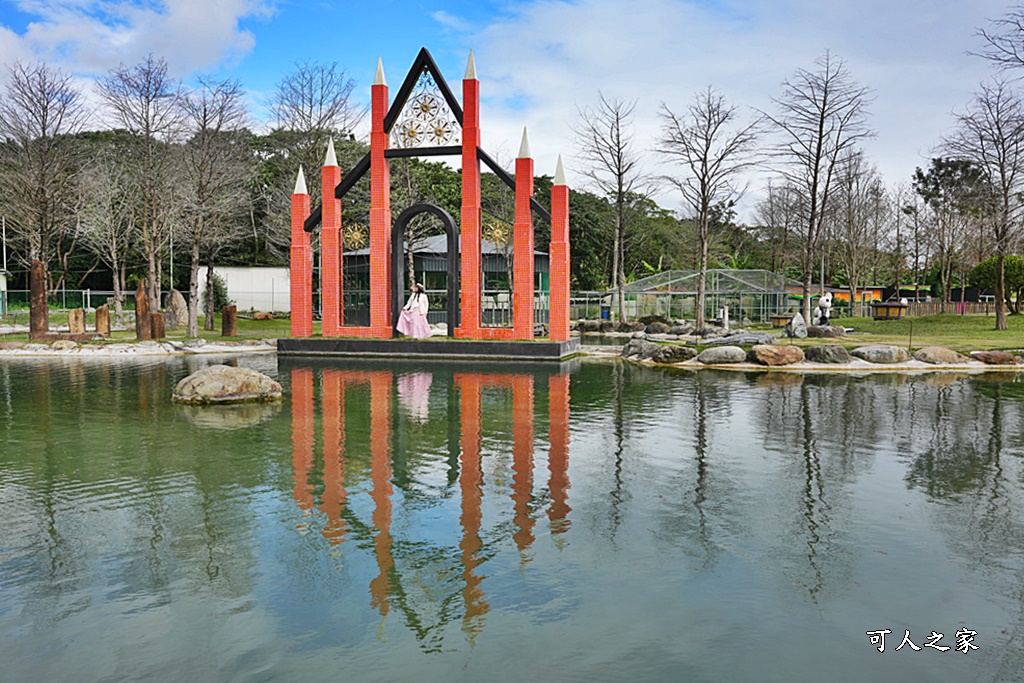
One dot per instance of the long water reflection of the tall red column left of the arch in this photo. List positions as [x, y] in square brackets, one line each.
[380, 473]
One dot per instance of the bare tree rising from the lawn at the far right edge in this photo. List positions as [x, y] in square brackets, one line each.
[991, 134]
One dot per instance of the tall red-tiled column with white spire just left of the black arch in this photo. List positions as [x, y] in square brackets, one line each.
[380, 212]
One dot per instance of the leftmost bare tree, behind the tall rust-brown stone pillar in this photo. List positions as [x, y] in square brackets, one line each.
[39, 114]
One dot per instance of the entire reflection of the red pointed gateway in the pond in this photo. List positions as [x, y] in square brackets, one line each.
[510, 395]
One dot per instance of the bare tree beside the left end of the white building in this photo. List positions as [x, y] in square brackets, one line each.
[218, 168]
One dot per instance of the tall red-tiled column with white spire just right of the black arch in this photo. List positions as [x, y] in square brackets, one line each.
[471, 229]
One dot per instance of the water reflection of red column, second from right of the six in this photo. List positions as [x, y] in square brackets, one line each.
[523, 459]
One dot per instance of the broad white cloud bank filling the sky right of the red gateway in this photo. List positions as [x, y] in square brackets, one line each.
[549, 57]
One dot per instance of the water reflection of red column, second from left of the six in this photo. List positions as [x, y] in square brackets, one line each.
[334, 459]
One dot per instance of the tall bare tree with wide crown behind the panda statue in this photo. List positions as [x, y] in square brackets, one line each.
[821, 115]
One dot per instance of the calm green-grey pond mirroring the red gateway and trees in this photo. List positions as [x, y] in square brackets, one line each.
[593, 522]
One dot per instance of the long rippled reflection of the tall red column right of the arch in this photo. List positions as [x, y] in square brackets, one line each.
[472, 482]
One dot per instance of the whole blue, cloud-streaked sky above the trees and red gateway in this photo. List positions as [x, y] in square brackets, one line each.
[541, 61]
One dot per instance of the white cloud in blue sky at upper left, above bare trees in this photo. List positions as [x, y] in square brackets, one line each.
[93, 36]
